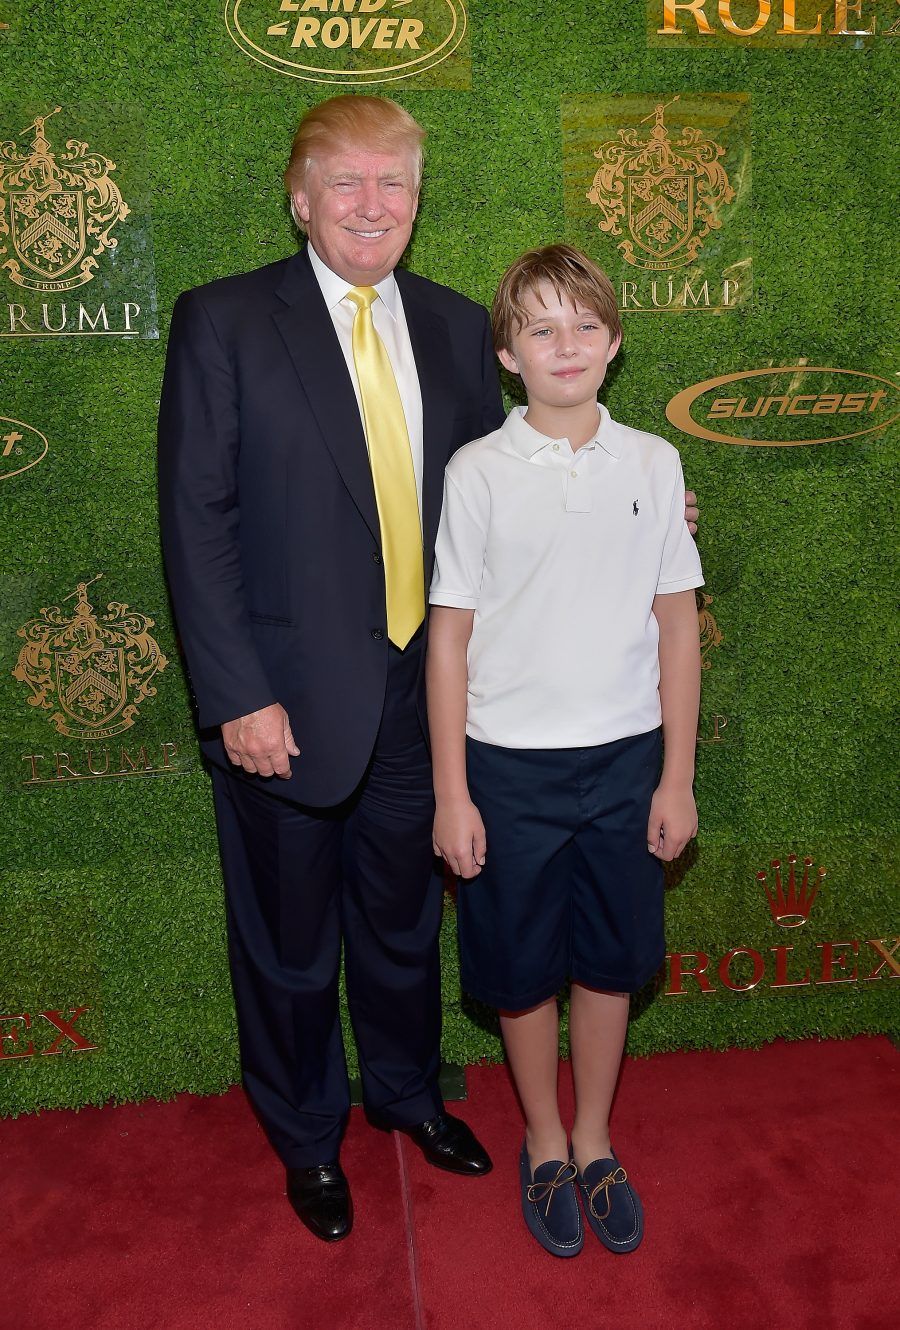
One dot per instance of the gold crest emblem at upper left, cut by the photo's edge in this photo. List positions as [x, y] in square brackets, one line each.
[55, 208]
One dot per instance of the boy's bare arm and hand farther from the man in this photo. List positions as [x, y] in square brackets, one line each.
[673, 813]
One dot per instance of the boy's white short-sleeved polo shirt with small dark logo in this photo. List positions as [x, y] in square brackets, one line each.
[560, 555]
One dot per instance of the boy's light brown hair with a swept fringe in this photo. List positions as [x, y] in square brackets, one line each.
[572, 276]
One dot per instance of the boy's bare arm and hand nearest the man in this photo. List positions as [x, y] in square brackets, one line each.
[459, 832]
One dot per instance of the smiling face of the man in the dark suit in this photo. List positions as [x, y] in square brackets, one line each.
[358, 208]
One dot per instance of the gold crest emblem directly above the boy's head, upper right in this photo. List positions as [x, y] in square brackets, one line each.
[668, 194]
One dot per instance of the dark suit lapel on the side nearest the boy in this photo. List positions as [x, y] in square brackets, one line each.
[434, 357]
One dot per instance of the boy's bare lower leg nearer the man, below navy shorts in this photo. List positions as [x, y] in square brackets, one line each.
[532, 1041]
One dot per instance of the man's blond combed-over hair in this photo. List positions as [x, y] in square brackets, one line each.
[373, 123]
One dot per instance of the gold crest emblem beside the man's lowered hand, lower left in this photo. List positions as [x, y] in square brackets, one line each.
[95, 670]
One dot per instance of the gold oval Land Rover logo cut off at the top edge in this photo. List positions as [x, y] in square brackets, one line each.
[348, 42]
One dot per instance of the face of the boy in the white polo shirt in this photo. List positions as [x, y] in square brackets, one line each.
[562, 352]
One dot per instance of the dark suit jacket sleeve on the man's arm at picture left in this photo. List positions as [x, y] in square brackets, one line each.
[200, 515]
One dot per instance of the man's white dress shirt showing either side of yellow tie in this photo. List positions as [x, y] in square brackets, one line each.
[392, 327]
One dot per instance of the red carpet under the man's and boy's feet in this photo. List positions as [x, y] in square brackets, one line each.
[769, 1182]
